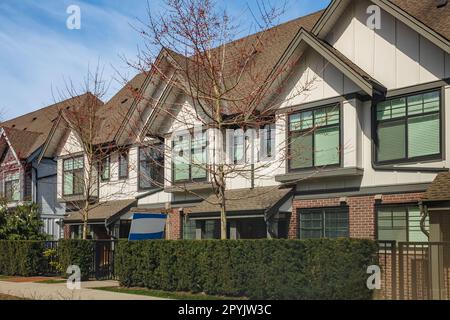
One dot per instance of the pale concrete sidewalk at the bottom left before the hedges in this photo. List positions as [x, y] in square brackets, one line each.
[59, 291]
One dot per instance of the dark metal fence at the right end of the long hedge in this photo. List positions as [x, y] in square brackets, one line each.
[415, 270]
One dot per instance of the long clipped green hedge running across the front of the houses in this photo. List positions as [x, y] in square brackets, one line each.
[258, 269]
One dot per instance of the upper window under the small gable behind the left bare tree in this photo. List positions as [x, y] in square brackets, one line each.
[73, 176]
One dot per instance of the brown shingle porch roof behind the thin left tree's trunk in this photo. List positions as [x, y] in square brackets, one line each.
[103, 210]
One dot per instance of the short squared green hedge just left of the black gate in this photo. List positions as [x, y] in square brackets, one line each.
[76, 252]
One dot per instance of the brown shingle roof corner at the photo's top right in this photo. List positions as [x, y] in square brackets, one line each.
[428, 13]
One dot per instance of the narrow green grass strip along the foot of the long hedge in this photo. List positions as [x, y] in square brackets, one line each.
[167, 294]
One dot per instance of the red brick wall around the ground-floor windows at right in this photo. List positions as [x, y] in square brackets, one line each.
[361, 212]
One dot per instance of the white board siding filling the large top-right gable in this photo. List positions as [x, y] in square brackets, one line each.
[395, 55]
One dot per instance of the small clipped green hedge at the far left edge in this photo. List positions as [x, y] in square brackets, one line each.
[22, 258]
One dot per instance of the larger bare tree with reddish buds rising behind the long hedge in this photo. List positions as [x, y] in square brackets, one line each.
[229, 83]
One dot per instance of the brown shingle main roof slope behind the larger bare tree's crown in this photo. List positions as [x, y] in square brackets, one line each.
[269, 44]
